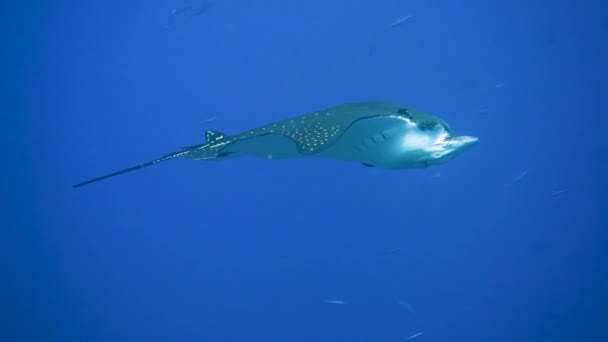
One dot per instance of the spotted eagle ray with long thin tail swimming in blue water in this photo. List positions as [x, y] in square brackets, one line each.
[380, 134]
